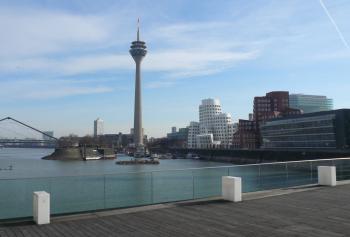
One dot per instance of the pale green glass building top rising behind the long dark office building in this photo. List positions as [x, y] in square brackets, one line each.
[310, 103]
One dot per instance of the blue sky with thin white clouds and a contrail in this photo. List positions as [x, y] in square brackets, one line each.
[65, 63]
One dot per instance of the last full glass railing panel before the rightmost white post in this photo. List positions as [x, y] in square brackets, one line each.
[299, 173]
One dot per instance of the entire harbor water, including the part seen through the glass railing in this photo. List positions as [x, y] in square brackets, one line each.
[80, 186]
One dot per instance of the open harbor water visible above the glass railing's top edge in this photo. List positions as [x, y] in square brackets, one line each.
[27, 163]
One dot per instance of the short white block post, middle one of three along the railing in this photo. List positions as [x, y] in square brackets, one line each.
[232, 188]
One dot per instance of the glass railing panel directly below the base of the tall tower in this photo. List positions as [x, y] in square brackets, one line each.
[123, 190]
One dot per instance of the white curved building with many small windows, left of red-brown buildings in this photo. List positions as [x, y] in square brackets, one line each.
[215, 128]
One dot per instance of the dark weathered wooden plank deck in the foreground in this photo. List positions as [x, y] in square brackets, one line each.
[318, 212]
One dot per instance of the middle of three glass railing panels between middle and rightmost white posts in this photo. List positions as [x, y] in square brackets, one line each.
[273, 176]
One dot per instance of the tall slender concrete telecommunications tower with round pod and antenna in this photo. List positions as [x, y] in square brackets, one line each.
[138, 52]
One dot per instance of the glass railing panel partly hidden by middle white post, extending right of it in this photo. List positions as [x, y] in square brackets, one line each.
[250, 177]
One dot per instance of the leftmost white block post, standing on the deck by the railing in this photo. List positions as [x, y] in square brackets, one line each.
[41, 207]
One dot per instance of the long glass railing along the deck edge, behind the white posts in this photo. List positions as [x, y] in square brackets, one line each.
[72, 194]
